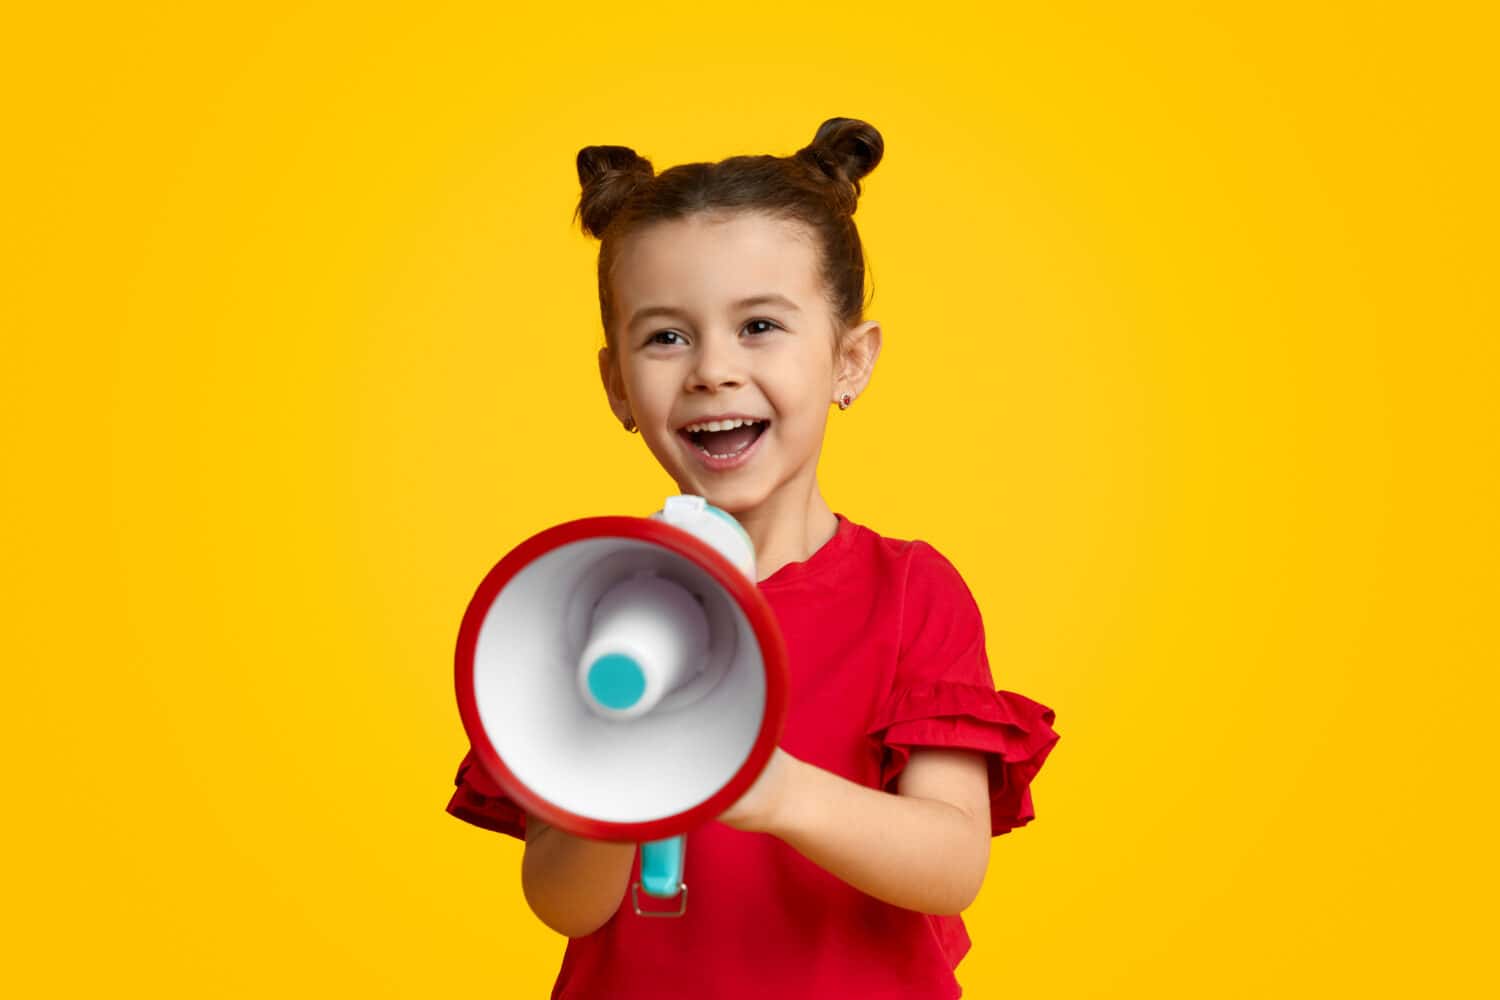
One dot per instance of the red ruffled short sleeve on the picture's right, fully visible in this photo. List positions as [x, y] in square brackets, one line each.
[944, 693]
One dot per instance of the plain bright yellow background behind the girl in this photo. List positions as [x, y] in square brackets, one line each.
[1190, 368]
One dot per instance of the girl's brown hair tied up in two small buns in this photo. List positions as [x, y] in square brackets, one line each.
[818, 187]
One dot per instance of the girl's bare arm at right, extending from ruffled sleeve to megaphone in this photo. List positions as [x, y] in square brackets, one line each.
[925, 849]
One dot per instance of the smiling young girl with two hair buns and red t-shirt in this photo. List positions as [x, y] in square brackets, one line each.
[733, 307]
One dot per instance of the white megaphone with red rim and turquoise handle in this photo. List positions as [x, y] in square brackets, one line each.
[625, 680]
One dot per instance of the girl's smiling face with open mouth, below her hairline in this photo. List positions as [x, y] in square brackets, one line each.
[691, 346]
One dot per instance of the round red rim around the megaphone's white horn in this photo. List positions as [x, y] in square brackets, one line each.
[746, 596]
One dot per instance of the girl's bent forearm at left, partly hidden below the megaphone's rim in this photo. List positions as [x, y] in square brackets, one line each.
[572, 884]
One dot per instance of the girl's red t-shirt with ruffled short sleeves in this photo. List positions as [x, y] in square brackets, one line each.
[886, 653]
